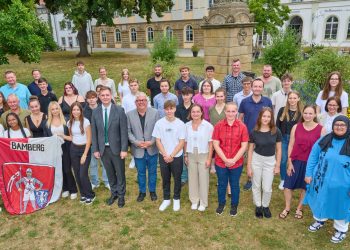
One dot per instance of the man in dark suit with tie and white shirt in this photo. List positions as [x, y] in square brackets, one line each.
[110, 143]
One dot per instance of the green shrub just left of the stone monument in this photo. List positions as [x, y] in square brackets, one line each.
[164, 49]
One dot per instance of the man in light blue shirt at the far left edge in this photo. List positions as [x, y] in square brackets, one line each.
[13, 87]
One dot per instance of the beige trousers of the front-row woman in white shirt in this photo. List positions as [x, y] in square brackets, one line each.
[198, 178]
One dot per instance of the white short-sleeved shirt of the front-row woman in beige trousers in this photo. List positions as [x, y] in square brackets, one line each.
[199, 139]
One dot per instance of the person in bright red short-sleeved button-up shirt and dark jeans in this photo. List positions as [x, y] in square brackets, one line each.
[230, 140]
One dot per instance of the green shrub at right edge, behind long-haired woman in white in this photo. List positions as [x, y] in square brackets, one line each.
[324, 62]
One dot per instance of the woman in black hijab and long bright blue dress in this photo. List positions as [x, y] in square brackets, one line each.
[328, 176]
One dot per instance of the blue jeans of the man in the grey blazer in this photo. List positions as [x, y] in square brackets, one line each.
[150, 162]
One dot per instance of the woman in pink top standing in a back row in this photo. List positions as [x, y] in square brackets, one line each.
[205, 98]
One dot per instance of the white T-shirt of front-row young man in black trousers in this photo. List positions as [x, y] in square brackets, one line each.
[170, 133]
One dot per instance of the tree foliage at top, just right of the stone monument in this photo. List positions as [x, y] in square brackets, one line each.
[269, 14]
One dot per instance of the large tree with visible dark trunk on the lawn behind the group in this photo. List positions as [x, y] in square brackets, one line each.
[81, 11]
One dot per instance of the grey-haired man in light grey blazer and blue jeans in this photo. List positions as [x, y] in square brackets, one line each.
[141, 123]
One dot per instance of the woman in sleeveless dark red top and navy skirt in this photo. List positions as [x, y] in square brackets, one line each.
[302, 137]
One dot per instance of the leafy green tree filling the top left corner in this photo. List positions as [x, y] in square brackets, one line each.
[22, 33]
